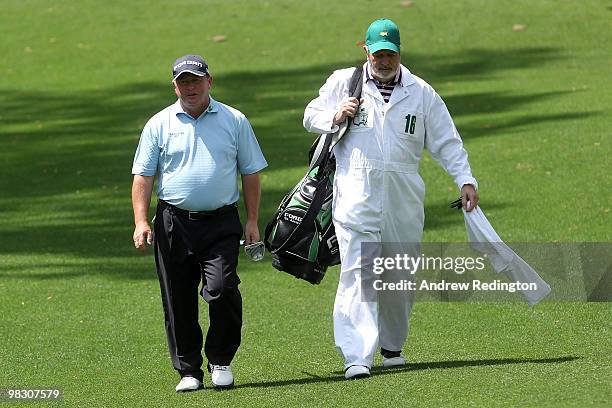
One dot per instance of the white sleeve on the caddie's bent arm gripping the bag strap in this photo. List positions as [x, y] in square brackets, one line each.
[319, 113]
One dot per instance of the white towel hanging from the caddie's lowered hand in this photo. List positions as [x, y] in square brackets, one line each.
[485, 240]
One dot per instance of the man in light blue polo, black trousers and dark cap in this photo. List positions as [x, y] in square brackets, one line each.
[196, 147]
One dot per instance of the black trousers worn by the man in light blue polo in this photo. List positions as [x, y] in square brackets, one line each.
[188, 252]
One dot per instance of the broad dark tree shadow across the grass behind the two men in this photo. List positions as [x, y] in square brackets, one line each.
[67, 155]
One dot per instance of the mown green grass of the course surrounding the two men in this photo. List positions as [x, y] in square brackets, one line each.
[80, 308]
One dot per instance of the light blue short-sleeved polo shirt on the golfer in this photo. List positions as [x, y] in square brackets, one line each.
[197, 161]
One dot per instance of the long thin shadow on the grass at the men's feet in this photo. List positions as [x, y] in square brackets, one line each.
[434, 365]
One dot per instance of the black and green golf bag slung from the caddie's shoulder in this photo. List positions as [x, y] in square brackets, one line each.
[301, 235]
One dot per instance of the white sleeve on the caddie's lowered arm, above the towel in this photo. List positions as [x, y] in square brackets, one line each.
[444, 143]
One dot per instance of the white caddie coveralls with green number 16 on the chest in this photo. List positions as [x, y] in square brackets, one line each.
[379, 194]
